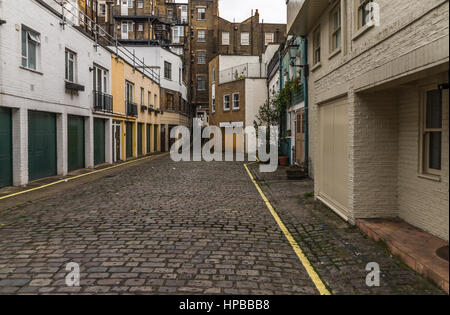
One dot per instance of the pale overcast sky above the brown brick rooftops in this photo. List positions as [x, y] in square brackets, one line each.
[272, 11]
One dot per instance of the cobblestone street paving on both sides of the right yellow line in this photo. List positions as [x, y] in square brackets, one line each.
[184, 228]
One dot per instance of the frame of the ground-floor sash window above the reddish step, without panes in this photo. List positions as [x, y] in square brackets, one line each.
[424, 132]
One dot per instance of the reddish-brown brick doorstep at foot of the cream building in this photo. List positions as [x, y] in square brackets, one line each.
[414, 247]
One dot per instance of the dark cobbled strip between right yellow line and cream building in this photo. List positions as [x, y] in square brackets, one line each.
[338, 251]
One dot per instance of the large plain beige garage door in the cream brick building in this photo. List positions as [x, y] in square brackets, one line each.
[333, 154]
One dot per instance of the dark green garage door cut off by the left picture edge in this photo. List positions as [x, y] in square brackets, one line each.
[5, 147]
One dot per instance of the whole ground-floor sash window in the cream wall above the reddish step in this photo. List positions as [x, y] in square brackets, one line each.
[431, 130]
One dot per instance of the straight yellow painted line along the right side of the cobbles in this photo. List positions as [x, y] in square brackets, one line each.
[303, 259]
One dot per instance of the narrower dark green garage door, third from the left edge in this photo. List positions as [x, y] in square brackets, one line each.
[75, 145]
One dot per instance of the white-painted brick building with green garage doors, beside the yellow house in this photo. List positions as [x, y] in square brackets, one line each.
[47, 75]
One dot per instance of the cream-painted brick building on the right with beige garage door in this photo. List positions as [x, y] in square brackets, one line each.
[379, 107]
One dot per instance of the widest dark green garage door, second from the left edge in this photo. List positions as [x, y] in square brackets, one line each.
[41, 145]
